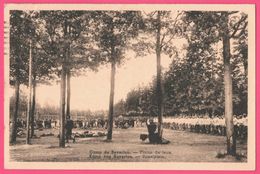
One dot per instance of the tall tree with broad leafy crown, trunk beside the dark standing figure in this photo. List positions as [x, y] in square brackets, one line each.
[68, 35]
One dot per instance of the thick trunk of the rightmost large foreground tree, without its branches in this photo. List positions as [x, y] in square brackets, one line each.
[231, 139]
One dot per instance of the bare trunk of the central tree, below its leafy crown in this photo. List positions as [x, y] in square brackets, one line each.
[111, 101]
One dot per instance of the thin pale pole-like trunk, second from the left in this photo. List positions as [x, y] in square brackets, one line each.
[29, 107]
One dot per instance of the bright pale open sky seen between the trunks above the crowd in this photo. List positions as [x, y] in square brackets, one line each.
[92, 90]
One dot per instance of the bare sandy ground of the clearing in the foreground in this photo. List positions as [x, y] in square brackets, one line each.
[126, 146]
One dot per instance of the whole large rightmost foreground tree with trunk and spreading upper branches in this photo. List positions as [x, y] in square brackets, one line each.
[227, 25]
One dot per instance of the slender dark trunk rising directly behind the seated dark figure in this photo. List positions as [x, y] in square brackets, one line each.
[159, 75]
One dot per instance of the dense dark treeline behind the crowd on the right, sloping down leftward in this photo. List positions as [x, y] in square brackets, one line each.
[193, 86]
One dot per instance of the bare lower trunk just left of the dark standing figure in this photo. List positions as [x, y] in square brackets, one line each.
[62, 107]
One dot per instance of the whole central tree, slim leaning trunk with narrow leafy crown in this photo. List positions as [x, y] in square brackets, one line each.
[116, 29]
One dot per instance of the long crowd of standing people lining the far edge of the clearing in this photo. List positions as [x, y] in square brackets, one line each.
[206, 125]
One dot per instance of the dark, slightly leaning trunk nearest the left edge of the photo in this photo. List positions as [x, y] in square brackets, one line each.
[15, 115]
